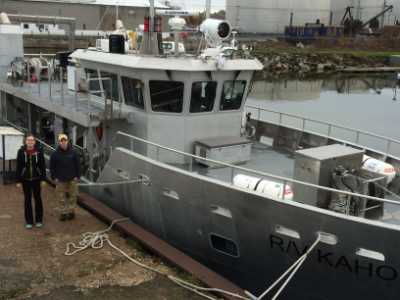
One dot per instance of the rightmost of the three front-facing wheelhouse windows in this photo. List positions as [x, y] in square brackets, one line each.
[232, 94]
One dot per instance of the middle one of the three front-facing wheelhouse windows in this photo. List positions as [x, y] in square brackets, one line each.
[203, 96]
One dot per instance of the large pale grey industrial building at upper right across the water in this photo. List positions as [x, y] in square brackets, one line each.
[272, 16]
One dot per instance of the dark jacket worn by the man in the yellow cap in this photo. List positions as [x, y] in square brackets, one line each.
[64, 165]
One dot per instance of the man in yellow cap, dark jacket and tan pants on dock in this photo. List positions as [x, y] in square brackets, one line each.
[65, 171]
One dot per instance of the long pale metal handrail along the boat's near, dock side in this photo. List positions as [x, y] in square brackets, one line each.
[284, 180]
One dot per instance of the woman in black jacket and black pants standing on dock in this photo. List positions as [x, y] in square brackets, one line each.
[31, 175]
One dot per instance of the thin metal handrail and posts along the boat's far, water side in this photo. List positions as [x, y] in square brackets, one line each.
[357, 132]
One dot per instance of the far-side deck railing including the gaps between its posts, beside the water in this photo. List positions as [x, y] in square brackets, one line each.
[370, 141]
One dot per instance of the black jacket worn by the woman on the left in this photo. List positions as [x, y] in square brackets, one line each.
[31, 166]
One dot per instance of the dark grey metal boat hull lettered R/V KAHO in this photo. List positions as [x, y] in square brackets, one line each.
[187, 210]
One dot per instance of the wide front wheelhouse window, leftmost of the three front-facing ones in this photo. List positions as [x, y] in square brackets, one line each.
[166, 96]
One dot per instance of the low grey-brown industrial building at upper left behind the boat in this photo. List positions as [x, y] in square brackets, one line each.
[89, 14]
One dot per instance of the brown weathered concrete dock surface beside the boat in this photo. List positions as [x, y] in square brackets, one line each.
[33, 264]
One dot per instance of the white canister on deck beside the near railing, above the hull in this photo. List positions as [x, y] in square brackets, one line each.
[271, 189]
